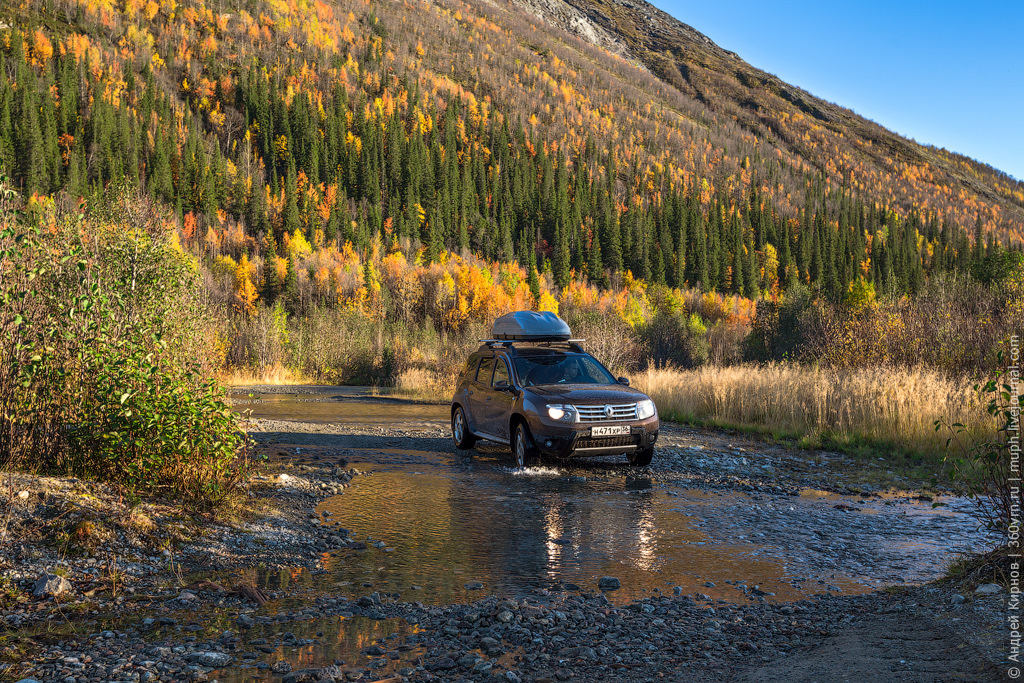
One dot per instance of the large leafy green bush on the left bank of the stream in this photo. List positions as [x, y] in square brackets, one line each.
[102, 360]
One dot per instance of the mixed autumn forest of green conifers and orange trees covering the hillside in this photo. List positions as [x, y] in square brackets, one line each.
[437, 164]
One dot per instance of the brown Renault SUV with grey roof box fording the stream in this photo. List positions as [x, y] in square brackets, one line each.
[533, 388]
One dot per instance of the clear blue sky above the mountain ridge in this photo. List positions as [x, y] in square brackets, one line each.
[948, 74]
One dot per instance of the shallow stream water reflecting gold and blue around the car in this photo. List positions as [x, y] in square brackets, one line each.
[458, 527]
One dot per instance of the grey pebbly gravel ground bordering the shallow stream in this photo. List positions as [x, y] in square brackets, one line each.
[145, 592]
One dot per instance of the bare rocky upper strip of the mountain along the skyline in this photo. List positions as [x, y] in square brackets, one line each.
[826, 137]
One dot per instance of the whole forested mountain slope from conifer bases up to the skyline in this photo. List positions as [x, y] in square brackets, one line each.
[280, 131]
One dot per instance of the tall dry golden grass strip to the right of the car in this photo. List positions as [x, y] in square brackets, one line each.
[879, 405]
